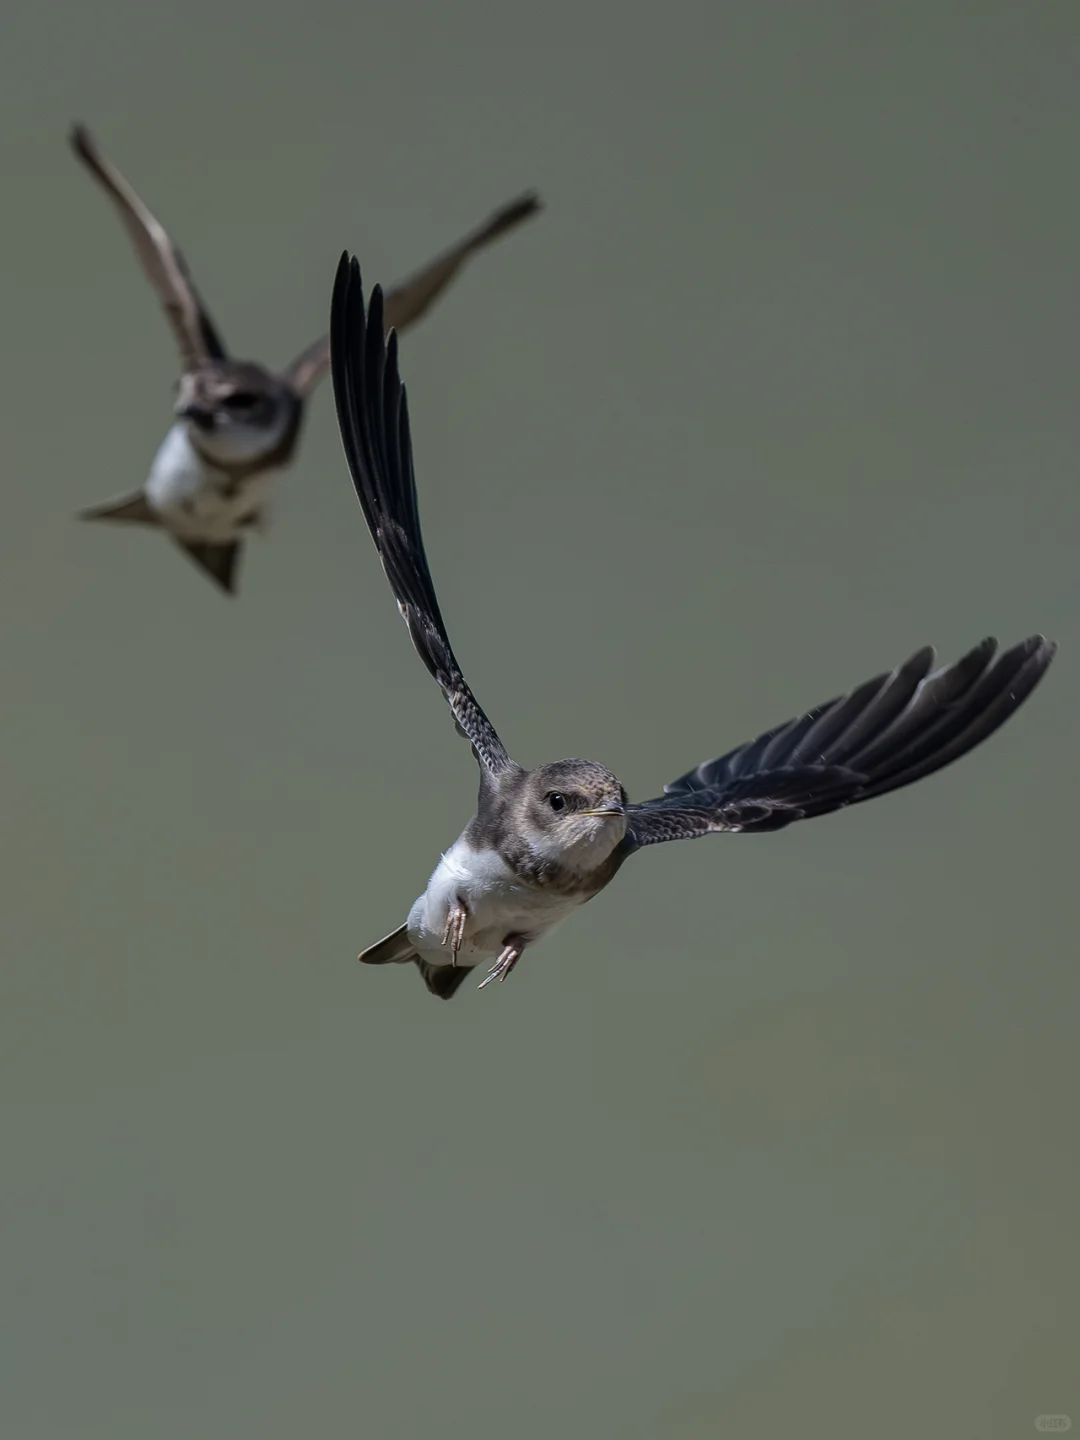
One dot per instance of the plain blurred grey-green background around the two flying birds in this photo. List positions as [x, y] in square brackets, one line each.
[780, 1135]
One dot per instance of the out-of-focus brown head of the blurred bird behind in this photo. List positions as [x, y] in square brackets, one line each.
[235, 411]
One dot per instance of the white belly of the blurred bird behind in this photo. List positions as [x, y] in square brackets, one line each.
[188, 493]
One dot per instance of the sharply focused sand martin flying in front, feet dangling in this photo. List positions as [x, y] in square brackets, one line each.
[545, 842]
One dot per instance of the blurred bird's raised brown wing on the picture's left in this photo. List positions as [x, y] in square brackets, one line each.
[162, 261]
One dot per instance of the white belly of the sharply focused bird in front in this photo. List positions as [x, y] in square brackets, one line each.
[499, 905]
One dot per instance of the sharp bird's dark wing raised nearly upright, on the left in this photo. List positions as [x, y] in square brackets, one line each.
[374, 417]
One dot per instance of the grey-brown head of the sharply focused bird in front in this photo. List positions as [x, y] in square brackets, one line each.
[574, 813]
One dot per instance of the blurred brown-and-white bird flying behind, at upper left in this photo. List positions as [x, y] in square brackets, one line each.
[237, 423]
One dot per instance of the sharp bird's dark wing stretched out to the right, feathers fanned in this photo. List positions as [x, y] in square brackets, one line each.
[889, 732]
